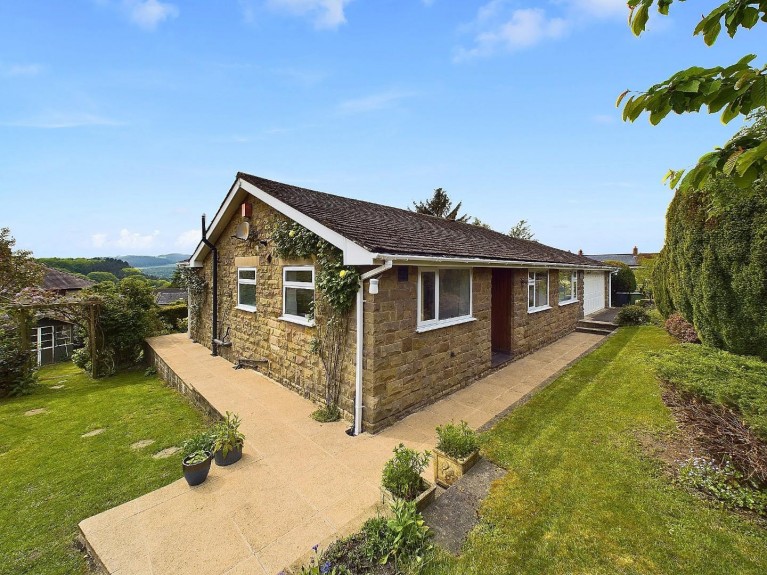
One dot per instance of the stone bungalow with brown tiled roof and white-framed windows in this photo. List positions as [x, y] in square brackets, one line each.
[444, 302]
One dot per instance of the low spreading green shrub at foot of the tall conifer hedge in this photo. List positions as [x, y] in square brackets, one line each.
[721, 378]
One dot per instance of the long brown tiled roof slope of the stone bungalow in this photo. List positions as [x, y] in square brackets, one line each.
[388, 230]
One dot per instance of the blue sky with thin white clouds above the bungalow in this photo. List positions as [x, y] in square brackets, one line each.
[121, 121]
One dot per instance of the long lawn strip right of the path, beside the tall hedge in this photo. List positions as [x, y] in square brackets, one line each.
[581, 496]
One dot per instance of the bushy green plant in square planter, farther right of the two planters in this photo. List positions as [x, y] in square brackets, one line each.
[457, 451]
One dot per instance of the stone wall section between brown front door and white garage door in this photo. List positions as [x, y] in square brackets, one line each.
[531, 331]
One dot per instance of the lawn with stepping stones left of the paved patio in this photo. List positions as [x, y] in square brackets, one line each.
[52, 478]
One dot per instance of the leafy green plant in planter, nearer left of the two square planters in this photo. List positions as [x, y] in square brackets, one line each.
[401, 478]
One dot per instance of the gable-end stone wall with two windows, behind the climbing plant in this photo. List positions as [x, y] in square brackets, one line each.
[285, 346]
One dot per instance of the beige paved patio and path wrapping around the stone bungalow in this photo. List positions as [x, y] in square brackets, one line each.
[299, 482]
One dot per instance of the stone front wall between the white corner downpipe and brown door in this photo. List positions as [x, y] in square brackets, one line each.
[411, 369]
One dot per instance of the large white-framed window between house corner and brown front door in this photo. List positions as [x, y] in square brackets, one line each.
[444, 297]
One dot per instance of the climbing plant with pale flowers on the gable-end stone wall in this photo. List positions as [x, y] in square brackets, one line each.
[335, 291]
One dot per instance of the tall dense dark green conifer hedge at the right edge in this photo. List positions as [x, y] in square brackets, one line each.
[713, 268]
